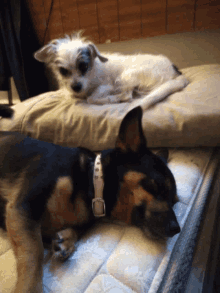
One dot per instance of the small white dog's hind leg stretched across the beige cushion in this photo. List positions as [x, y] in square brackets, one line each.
[164, 90]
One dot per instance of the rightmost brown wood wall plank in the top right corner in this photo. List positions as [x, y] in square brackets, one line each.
[207, 14]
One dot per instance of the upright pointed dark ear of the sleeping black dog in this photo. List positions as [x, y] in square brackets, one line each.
[131, 137]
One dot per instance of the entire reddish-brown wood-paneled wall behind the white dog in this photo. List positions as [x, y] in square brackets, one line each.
[119, 20]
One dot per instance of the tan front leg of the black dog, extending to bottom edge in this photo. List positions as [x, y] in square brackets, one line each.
[25, 236]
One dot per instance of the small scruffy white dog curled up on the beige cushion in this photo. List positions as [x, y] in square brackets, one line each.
[82, 72]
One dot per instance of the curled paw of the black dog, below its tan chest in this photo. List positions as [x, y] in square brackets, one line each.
[64, 244]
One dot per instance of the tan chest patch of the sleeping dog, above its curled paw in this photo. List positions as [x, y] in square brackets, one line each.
[60, 211]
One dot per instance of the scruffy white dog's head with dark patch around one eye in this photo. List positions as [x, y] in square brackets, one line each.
[72, 60]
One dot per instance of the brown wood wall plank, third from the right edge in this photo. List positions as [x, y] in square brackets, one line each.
[153, 18]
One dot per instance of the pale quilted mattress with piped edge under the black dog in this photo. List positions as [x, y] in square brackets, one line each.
[116, 258]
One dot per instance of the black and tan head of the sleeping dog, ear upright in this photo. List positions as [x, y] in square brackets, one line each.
[144, 186]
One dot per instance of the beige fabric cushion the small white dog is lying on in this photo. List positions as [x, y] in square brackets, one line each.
[188, 118]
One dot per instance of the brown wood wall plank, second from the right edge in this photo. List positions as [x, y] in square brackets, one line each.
[180, 16]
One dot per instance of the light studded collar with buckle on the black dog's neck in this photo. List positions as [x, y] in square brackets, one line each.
[98, 204]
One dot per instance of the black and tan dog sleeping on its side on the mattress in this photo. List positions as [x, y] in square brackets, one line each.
[46, 188]
